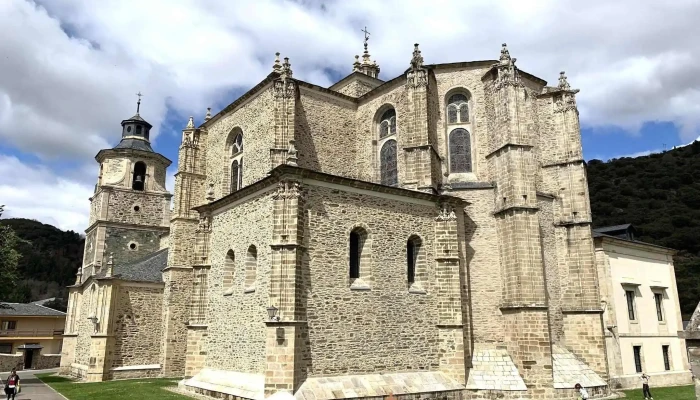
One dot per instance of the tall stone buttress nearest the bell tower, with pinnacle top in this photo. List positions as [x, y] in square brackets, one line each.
[190, 182]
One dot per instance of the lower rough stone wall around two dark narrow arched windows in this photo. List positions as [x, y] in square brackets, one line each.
[386, 327]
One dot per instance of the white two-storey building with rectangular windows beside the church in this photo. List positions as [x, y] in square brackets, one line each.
[642, 313]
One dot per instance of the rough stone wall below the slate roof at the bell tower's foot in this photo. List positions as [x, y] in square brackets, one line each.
[137, 326]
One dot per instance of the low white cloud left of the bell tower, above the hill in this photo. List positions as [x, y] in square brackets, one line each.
[36, 192]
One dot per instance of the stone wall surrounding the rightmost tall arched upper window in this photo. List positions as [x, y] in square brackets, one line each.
[470, 80]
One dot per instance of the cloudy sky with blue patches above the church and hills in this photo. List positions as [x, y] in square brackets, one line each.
[70, 69]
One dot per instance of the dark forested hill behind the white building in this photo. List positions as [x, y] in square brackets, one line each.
[660, 195]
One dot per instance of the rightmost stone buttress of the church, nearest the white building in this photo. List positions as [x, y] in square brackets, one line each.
[579, 327]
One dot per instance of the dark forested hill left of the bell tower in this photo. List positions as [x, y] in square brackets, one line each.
[49, 259]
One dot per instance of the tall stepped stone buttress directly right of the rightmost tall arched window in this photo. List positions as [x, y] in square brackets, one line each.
[512, 166]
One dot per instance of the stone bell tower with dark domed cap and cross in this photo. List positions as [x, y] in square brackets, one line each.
[130, 209]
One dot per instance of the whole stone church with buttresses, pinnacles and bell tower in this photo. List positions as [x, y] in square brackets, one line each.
[426, 236]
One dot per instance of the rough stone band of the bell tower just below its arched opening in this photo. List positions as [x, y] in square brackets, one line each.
[133, 207]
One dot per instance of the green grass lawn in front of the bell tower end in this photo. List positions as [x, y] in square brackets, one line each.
[142, 389]
